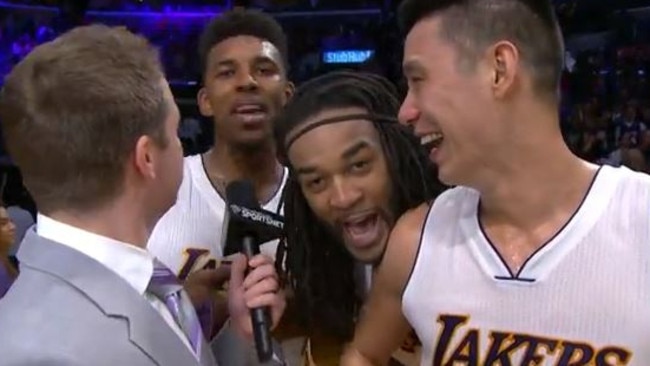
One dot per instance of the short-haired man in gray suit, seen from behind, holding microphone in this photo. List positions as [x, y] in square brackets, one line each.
[90, 120]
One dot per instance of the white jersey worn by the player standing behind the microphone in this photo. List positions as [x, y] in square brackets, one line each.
[188, 237]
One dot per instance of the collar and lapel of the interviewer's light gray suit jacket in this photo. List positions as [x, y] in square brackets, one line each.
[116, 298]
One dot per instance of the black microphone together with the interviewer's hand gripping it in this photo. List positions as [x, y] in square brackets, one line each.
[255, 300]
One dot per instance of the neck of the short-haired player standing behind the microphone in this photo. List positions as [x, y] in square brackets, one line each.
[225, 163]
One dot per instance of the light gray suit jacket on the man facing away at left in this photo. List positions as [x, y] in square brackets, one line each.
[67, 309]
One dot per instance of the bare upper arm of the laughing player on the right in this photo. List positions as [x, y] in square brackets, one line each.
[382, 327]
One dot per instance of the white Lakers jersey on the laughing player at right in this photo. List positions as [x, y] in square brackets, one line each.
[582, 299]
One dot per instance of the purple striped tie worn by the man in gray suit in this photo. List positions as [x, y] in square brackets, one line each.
[166, 286]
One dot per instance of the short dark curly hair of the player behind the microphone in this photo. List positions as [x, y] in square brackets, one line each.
[242, 22]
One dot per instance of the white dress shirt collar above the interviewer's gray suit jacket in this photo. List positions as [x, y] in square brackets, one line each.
[133, 264]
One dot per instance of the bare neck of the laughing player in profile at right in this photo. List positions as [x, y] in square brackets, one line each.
[536, 176]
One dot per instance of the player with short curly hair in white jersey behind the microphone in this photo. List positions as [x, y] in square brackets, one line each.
[243, 57]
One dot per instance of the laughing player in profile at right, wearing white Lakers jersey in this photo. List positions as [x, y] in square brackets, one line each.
[537, 257]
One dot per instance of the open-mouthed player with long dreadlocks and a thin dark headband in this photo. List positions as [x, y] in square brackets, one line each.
[353, 172]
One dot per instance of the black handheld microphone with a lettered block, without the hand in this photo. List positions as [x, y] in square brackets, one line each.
[247, 226]
